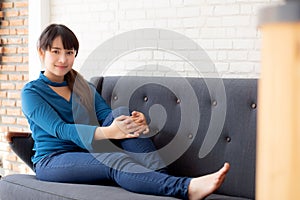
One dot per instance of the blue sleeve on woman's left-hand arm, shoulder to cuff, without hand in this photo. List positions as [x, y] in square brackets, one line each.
[40, 113]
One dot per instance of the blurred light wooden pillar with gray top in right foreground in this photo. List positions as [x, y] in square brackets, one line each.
[278, 139]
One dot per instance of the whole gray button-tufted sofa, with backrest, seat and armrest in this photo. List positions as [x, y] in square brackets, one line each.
[197, 124]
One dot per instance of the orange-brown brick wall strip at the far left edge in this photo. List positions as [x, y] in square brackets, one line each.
[13, 76]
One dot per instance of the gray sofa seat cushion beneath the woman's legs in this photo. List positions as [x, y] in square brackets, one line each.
[27, 187]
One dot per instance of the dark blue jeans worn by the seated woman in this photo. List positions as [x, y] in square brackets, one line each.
[130, 169]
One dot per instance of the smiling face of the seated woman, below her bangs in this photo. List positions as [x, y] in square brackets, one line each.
[57, 60]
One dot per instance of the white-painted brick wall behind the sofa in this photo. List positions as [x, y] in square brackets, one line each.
[225, 29]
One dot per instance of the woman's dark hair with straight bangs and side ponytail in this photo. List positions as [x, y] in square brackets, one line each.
[76, 82]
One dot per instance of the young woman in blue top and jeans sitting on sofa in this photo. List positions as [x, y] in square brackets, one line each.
[66, 115]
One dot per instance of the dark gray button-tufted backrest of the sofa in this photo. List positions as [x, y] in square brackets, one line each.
[197, 124]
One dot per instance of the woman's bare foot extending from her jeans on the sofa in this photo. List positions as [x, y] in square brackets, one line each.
[202, 186]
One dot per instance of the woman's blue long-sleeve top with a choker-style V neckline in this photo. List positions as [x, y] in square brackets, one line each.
[56, 123]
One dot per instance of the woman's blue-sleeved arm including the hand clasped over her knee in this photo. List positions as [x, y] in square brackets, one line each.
[40, 113]
